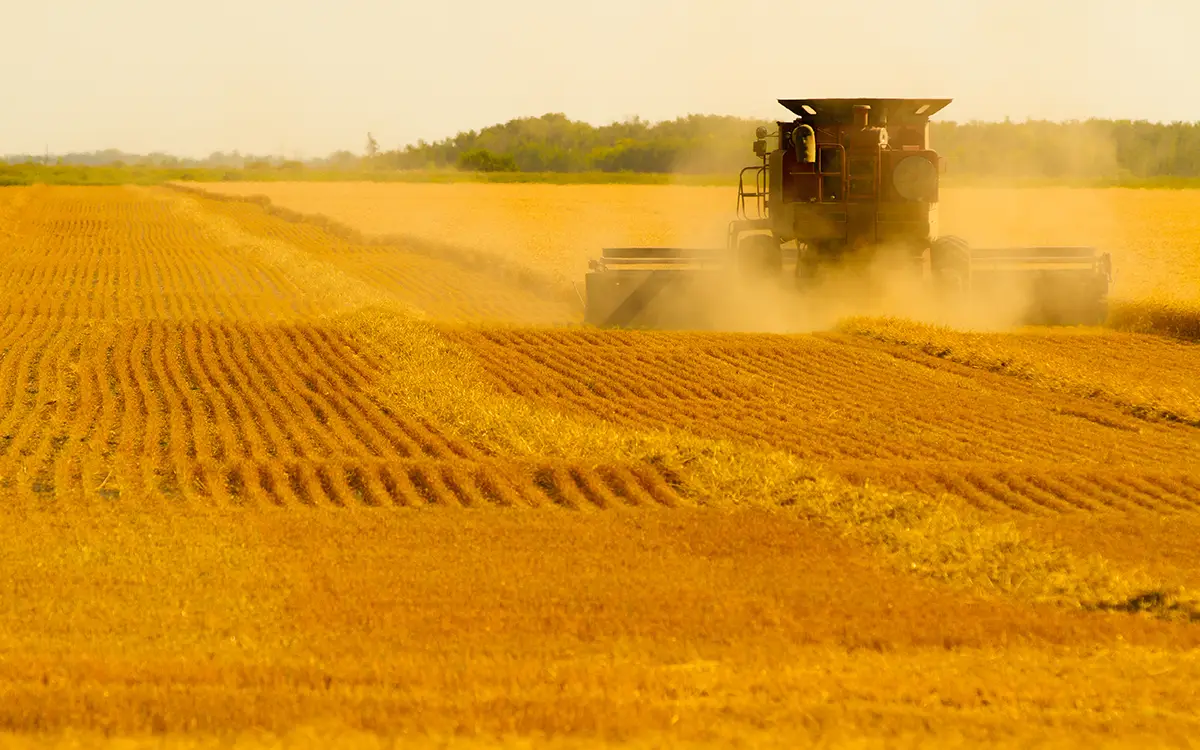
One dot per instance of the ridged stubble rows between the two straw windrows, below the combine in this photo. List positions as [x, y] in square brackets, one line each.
[994, 441]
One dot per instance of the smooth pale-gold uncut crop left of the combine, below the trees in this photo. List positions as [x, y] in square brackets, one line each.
[550, 227]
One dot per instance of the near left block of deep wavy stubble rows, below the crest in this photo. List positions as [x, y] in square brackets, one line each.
[250, 413]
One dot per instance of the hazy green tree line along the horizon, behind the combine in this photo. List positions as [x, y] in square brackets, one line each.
[712, 145]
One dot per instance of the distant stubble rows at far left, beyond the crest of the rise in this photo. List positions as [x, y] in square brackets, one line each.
[113, 254]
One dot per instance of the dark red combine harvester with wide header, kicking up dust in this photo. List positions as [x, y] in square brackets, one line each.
[850, 183]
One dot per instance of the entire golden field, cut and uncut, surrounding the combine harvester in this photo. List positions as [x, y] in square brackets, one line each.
[269, 481]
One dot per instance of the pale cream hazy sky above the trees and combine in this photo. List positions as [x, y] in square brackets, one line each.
[307, 77]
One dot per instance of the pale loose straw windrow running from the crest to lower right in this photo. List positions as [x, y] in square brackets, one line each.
[937, 537]
